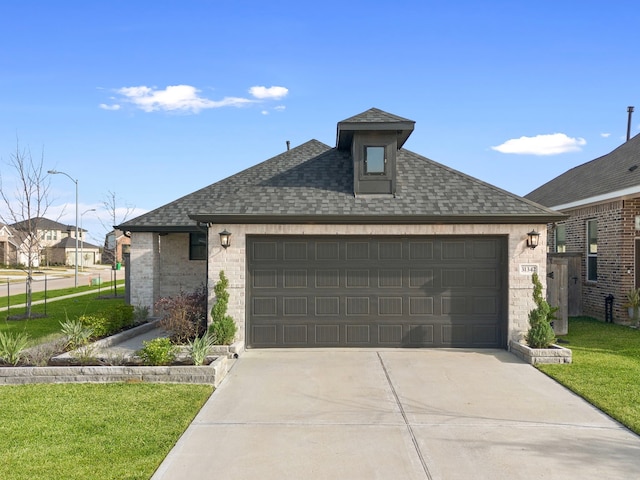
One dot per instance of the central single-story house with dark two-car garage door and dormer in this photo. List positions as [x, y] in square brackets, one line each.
[365, 244]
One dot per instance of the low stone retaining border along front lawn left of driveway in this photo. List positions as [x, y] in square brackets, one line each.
[211, 374]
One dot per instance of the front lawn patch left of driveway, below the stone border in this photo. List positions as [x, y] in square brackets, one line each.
[97, 431]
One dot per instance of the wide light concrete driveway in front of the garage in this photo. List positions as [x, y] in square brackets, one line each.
[398, 414]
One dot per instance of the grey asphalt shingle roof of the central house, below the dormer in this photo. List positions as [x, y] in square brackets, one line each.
[315, 180]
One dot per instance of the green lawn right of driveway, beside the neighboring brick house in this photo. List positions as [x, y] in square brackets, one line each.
[605, 368]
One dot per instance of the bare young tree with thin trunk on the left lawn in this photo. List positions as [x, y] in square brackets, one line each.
[25, 205]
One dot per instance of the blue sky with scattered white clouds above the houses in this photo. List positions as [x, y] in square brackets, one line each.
[152, 100]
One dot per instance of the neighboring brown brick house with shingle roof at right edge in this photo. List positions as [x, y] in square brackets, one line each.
[602, 200]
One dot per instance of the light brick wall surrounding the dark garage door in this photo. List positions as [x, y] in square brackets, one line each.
[233, 259]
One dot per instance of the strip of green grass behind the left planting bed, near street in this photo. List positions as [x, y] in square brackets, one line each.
[45, 329]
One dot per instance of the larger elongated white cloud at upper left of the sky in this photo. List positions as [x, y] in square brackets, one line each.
[176, 98]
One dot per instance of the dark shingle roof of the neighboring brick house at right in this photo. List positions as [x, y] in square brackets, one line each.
[612, 172]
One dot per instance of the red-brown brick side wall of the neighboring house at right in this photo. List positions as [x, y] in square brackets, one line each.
[616, 253]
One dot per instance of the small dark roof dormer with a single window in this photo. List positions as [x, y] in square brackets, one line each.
[374, 137]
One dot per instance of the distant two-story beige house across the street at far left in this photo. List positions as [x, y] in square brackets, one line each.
[56, 243]
